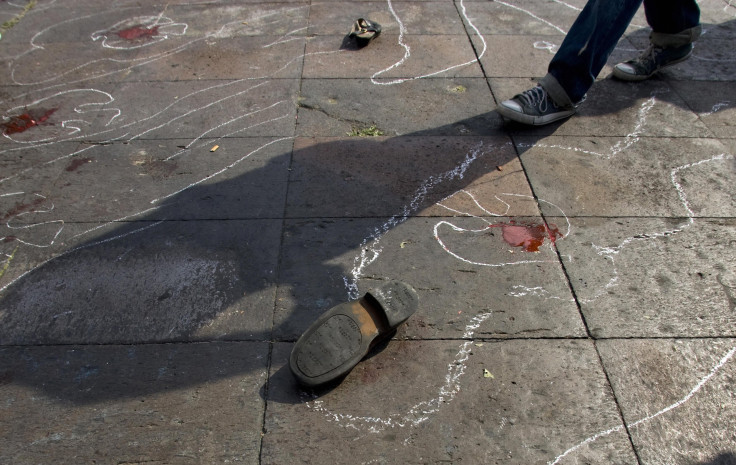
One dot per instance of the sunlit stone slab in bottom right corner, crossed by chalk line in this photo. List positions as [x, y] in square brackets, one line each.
[675, 396]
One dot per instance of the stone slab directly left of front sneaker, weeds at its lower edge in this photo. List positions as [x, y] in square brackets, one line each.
[336, 107]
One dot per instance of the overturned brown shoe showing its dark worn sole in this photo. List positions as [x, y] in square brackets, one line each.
[343, 335]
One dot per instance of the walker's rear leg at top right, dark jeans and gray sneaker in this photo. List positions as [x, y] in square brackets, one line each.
[675, 26]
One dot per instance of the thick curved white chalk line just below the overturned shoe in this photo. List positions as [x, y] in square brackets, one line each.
[422, 411]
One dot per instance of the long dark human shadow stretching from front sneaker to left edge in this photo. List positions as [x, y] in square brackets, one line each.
[169, 276]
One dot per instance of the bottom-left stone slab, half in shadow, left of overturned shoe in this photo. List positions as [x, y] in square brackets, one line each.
[177, 403]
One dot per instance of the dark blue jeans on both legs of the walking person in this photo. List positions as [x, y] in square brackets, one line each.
[596, 32]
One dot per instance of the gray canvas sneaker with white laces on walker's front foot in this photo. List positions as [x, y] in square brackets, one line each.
[534, 107]
